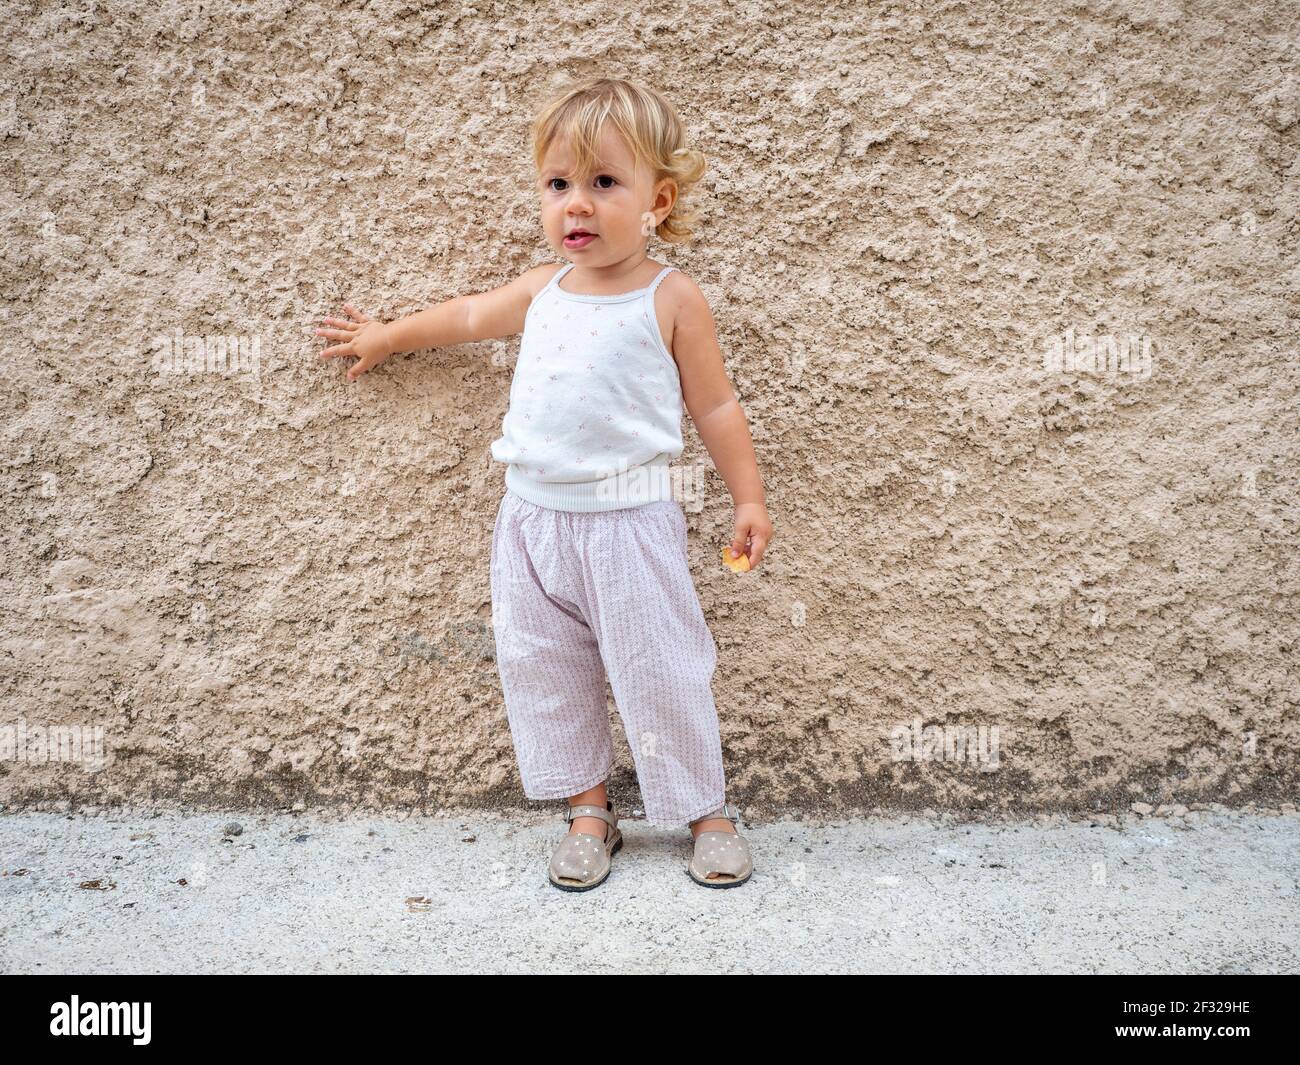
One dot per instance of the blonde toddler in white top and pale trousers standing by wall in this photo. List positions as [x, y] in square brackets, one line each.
[590, 570]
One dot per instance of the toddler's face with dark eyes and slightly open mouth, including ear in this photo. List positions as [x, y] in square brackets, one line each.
[609, 204]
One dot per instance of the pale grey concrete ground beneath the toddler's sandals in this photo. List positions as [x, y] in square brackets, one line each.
[1212, 891]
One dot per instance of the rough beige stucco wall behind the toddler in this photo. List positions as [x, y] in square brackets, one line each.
[267, 586]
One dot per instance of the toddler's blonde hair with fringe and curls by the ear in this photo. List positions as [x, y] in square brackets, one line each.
[645, 120]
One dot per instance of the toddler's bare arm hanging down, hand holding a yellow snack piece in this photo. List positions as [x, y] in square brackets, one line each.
[720, 419]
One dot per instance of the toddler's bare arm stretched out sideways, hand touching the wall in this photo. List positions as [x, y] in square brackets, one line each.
[480, 317]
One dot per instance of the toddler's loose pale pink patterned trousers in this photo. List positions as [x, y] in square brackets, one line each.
[579, 598]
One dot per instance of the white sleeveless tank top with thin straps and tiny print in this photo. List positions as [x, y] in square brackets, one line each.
[595, 413]
